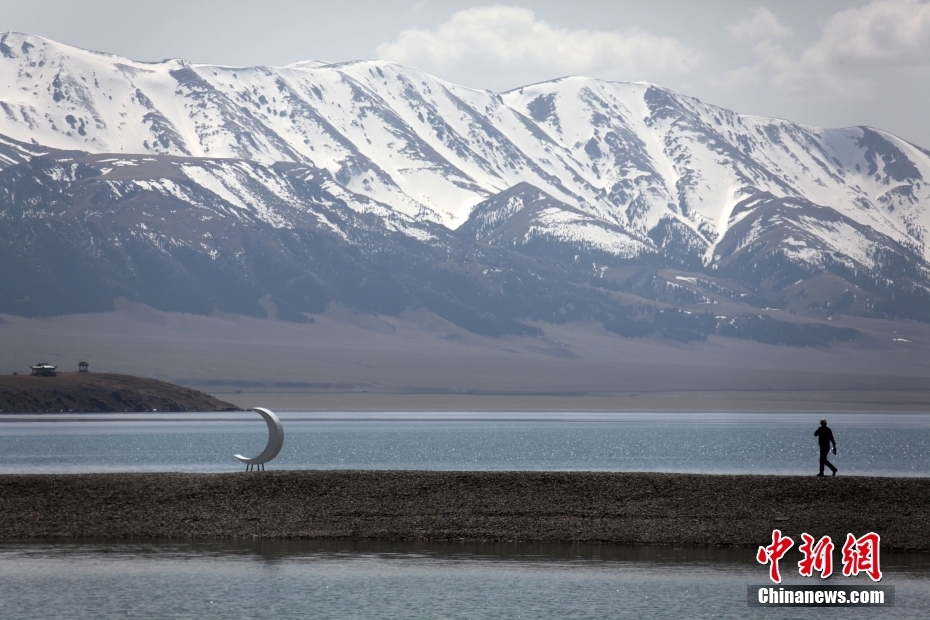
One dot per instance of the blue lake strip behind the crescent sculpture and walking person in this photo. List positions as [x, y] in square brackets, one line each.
[869, 444]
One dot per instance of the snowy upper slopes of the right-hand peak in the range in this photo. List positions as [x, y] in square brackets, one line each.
[658, 154]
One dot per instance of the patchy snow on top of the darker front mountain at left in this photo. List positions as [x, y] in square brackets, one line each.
[284, 196]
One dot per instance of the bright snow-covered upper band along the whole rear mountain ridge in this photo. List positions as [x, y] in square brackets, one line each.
[663, 169]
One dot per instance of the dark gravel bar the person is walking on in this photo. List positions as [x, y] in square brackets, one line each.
[587, 507]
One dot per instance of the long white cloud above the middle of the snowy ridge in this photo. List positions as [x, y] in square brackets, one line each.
[511, 38]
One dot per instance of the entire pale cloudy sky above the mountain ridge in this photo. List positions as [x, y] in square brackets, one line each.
[829, 63]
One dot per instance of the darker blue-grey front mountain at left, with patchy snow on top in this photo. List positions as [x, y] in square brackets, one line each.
[78, 230]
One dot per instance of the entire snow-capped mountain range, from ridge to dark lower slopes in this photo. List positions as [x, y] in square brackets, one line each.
[276, 191]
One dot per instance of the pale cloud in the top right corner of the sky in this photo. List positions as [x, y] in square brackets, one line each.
[854, 48]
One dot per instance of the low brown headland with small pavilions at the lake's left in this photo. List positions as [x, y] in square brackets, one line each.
[100, 392]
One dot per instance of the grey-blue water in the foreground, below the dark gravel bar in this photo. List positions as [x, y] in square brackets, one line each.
[348, 580]
